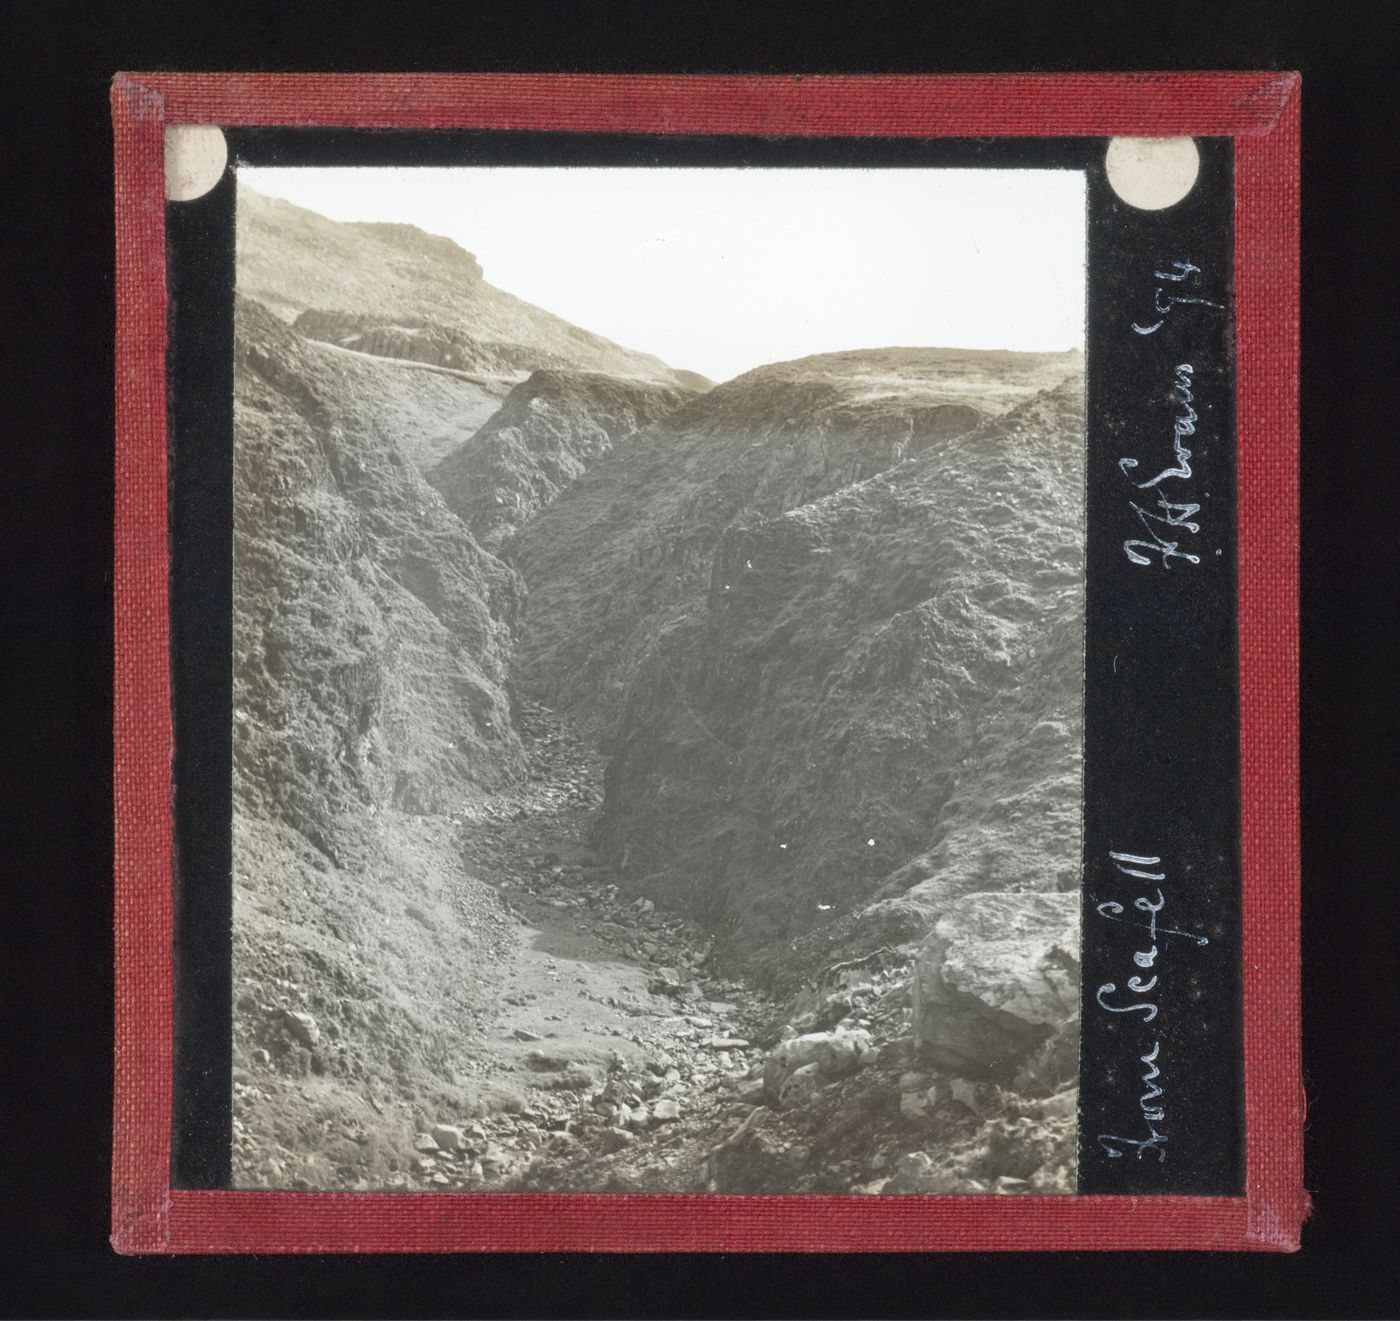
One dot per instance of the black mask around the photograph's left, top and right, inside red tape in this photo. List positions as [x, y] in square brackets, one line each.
[1161, 754]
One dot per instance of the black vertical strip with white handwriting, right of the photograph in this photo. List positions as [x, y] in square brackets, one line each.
[1160, 1105]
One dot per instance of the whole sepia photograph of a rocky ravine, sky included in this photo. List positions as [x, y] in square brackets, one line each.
[659, 679]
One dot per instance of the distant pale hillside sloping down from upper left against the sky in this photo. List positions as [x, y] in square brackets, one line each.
[408, 295]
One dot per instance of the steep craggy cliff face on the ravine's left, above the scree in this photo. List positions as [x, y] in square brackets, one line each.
[372, 635]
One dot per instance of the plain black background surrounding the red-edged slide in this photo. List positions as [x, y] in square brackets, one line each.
[58, 468]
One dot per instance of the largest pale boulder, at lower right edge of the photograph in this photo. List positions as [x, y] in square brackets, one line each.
[997, 976]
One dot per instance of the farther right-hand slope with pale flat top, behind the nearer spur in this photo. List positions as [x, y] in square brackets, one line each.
[631, 546]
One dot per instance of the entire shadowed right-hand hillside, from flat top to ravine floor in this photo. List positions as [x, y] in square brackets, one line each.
[829, 626]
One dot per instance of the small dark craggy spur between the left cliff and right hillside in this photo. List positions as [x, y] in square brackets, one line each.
[547, 435]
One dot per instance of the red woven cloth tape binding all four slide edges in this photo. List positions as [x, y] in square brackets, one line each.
[1261, 111]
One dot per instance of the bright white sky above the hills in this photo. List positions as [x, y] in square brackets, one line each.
[720, 271]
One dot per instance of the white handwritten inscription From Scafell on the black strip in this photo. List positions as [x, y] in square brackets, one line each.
[1140, 997]
